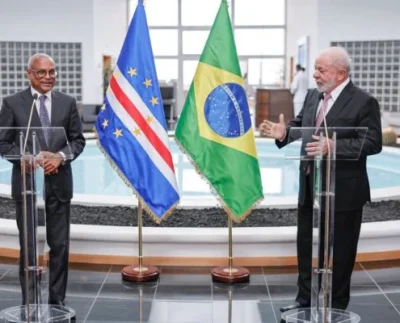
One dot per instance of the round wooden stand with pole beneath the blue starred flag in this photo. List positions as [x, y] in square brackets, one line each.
[140, 273]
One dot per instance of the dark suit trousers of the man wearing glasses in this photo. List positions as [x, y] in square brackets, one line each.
[57, 216]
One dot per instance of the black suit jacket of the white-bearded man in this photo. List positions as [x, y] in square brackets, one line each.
[353, 108]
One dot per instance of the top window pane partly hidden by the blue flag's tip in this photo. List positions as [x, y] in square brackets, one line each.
[158, 12]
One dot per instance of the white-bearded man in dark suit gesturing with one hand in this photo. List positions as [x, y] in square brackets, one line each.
[344, 105]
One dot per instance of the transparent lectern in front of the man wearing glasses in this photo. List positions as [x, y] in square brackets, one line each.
[27, 150]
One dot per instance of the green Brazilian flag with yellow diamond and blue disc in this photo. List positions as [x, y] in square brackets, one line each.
[214, 128]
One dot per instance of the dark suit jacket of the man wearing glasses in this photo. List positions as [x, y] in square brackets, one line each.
[15, 113]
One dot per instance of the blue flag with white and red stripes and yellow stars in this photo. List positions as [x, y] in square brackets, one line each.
[131, 125]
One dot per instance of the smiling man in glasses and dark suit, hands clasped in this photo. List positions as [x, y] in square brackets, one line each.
[52, 109]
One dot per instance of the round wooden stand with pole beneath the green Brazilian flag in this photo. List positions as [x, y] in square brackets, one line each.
[230, 274]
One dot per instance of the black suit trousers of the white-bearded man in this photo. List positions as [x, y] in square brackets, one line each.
[346, 234]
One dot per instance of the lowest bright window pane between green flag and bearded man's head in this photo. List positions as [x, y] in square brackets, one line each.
[267, 71]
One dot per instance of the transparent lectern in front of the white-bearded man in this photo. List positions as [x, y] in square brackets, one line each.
[346, 144]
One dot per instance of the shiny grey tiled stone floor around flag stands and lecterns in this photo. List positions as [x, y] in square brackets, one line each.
[188, 295]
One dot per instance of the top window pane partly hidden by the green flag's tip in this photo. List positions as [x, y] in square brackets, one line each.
[200, 13]
